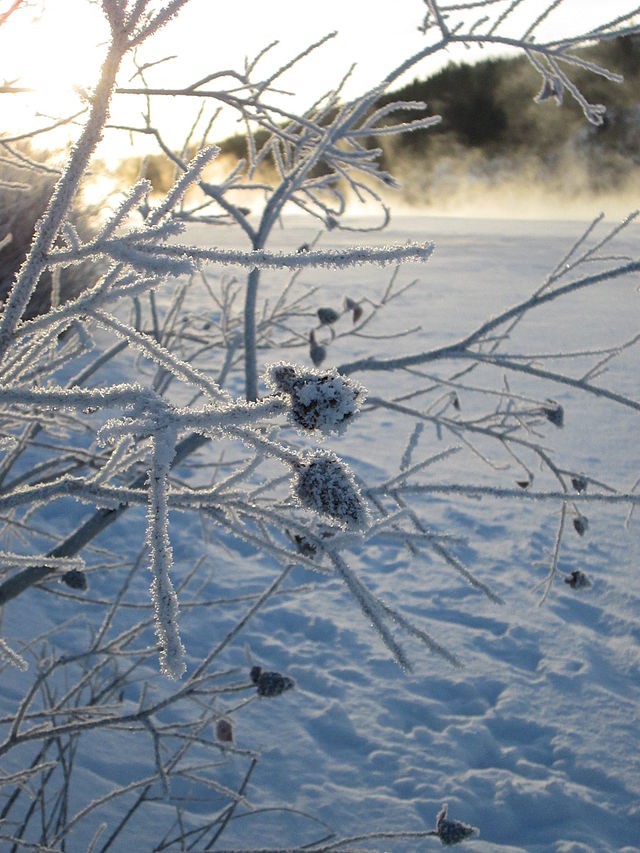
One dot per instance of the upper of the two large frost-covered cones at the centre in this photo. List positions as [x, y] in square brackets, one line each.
[320, 400]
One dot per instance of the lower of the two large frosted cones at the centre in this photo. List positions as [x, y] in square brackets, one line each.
[325, 484]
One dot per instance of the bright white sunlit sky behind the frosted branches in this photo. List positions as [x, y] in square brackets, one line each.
[209, 35]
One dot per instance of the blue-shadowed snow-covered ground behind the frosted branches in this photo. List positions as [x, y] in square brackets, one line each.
[536, 739]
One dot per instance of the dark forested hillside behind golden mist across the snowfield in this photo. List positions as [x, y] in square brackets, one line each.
[496, 143]
